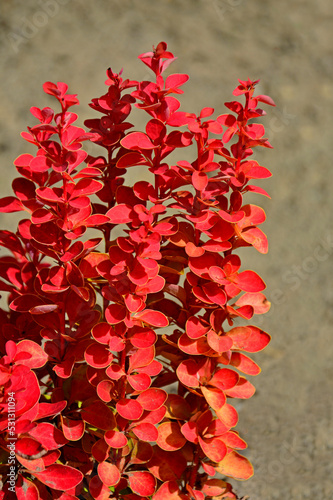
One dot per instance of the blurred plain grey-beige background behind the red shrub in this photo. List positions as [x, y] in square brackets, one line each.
[288, 424]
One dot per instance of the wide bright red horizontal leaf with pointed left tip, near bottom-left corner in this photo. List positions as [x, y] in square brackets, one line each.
[60, 477]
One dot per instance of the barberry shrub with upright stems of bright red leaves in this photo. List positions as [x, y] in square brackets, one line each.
[121, 350]
